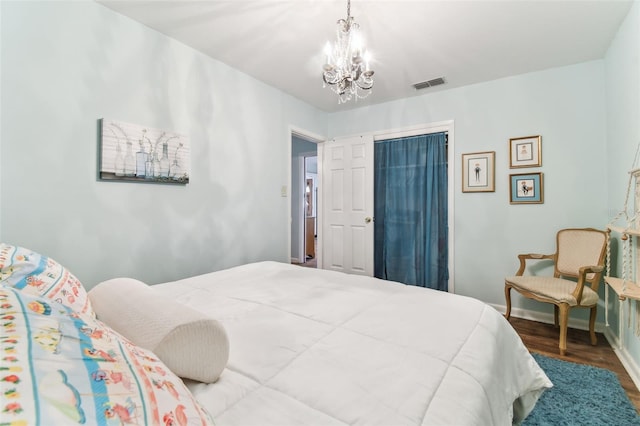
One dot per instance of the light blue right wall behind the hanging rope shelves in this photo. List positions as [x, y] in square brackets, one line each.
[622, 66]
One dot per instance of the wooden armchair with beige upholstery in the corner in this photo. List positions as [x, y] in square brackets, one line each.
[578, 260]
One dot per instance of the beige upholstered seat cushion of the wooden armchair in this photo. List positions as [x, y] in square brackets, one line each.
[553, 289]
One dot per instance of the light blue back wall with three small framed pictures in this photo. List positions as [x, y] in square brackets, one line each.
[566, 106]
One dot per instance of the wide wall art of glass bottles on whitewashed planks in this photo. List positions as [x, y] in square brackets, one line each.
[134, 153]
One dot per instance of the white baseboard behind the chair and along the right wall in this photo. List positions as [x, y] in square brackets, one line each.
[623, 355]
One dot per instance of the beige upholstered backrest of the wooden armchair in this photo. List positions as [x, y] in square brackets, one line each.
[579, 247]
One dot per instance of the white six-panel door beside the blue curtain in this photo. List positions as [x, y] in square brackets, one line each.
[347, 205]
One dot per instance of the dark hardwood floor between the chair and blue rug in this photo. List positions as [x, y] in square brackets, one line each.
[543, 339]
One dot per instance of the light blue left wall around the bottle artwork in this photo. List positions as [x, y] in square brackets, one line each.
[67, 64]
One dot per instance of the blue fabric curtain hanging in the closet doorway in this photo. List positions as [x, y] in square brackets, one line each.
[411, 228]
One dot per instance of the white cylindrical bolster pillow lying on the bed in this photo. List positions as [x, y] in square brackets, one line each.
[191, 344]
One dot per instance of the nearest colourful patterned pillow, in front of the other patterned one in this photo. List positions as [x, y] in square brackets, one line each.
[60, 366]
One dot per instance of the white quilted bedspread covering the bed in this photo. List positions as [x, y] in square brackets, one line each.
[316, 347]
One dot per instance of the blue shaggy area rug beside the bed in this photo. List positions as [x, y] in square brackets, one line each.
[581, 395]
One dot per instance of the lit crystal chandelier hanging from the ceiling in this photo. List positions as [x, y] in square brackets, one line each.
[347, 69]
